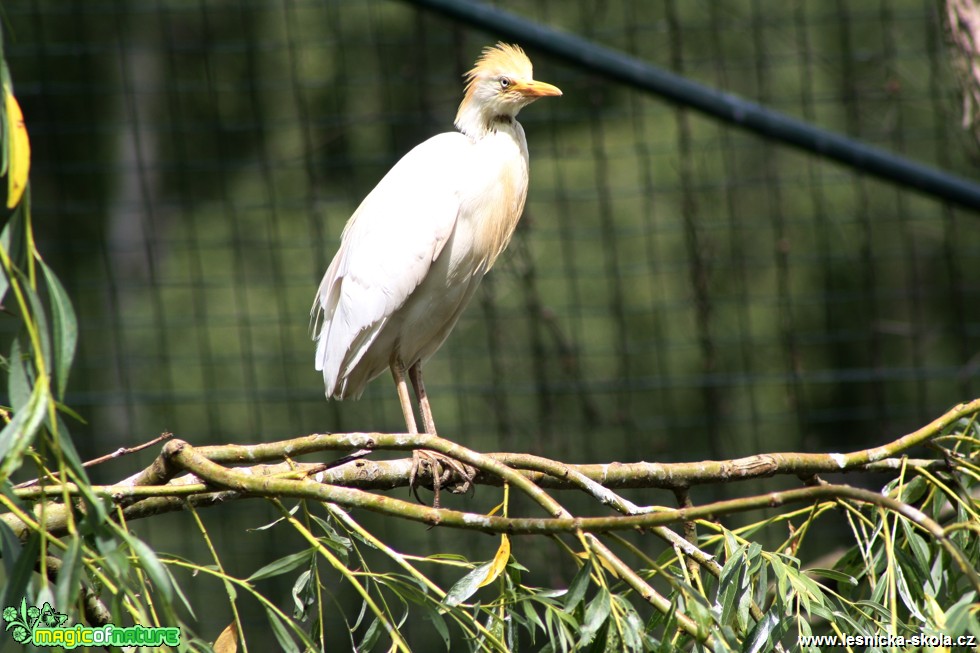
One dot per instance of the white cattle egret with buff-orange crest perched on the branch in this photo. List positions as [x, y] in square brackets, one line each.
[417, 247]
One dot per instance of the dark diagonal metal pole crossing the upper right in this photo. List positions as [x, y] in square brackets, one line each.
[730, 108]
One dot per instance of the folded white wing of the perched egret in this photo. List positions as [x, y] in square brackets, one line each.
[385, 252]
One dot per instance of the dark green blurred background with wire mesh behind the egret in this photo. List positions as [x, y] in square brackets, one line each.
[678, 289]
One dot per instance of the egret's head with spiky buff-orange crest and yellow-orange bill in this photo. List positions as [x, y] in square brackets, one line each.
[498, 87]
